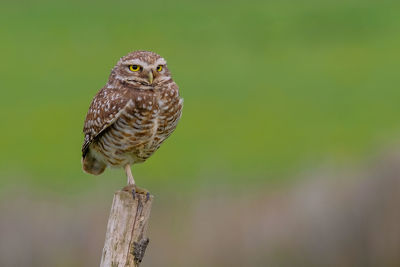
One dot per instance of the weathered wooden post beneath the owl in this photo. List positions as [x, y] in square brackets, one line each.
[126, 239]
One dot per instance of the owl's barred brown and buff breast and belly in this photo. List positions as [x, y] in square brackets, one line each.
[141, 127]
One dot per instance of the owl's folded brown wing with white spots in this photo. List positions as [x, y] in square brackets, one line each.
[104, 110]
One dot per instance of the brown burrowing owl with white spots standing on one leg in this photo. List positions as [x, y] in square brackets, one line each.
[132, 115]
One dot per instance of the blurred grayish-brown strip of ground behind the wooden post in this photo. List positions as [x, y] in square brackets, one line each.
[326, 218]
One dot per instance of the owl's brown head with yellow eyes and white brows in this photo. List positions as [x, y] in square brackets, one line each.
[141, 67]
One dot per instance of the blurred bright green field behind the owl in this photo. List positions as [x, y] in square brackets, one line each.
[270, 87]
